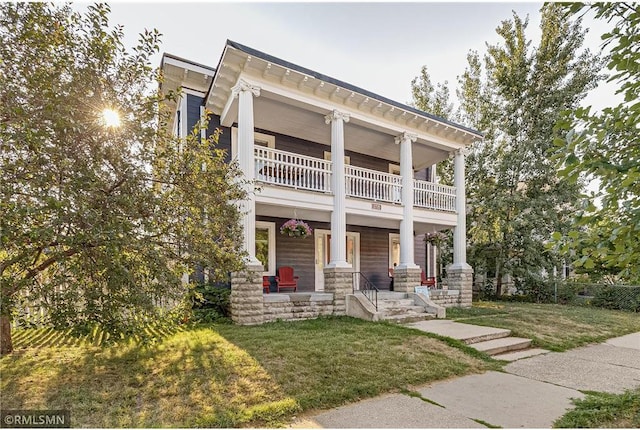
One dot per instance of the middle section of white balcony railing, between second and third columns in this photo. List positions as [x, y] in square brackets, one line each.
[373, 185]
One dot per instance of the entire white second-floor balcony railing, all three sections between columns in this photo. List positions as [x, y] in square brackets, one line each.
[287, 169]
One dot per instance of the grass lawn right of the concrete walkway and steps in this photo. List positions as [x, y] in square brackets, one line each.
[554, 327]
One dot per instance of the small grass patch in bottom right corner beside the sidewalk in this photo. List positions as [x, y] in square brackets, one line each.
[602, 410]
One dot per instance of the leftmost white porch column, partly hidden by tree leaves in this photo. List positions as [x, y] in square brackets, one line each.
[246, 160]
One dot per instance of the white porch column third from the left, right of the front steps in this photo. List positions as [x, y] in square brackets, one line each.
[407, 259]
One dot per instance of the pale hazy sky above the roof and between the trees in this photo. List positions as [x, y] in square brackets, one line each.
[376, 46]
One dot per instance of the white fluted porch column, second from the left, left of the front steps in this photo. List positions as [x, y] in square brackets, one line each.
[338, 216]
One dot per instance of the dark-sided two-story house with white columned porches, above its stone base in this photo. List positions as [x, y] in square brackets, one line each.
[356, 166]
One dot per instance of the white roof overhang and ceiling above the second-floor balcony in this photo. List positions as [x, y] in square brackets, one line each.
[306, 96]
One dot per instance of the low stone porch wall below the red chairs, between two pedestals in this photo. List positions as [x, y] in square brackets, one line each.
[297, 306]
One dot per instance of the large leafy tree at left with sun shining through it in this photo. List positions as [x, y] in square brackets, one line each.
[99, 221]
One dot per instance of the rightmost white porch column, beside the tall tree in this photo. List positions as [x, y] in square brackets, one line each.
[460, 231]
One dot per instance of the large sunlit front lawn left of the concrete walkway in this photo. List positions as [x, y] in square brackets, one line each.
[223, 375]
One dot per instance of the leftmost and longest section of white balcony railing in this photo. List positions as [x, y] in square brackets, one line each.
[292, 170]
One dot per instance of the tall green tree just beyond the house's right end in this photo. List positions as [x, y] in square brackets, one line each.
[514, 95]
